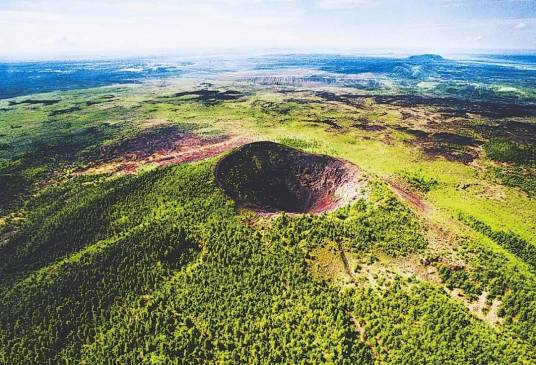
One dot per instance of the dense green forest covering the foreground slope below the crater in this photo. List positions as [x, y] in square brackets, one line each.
[161, 268]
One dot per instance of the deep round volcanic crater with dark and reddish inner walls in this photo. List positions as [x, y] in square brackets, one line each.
[269, 177]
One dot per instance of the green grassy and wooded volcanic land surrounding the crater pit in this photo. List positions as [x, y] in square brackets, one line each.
[118, 245]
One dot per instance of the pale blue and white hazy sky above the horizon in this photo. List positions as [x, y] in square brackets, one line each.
[61, 28]
